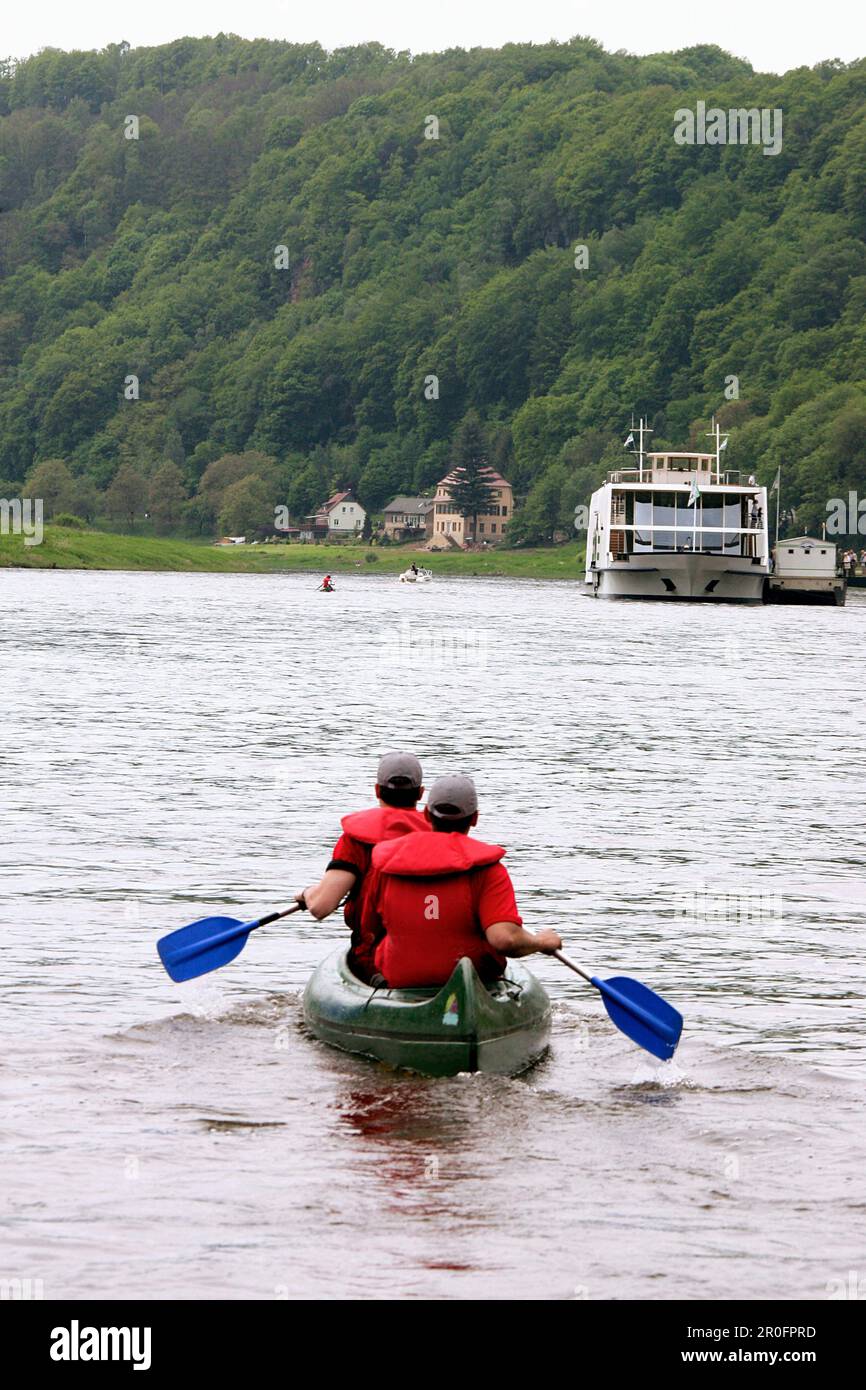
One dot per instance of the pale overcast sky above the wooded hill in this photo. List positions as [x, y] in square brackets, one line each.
[774, 37]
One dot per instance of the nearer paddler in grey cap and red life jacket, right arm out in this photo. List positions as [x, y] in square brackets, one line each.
[439, 896]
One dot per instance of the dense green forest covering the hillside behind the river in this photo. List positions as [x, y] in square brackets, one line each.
[237, 275]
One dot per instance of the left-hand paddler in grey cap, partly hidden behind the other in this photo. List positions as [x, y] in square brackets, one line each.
[398, 789]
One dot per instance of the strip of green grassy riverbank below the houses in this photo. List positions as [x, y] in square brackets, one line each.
[69, 550]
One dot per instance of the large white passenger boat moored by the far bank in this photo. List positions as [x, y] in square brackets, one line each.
[678, 528]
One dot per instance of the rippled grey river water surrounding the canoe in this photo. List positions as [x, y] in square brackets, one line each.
[682, 794]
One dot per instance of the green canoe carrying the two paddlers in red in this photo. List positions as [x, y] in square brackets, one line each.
[461, 1027]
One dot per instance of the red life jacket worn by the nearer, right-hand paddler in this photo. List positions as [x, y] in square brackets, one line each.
[427, 889]
